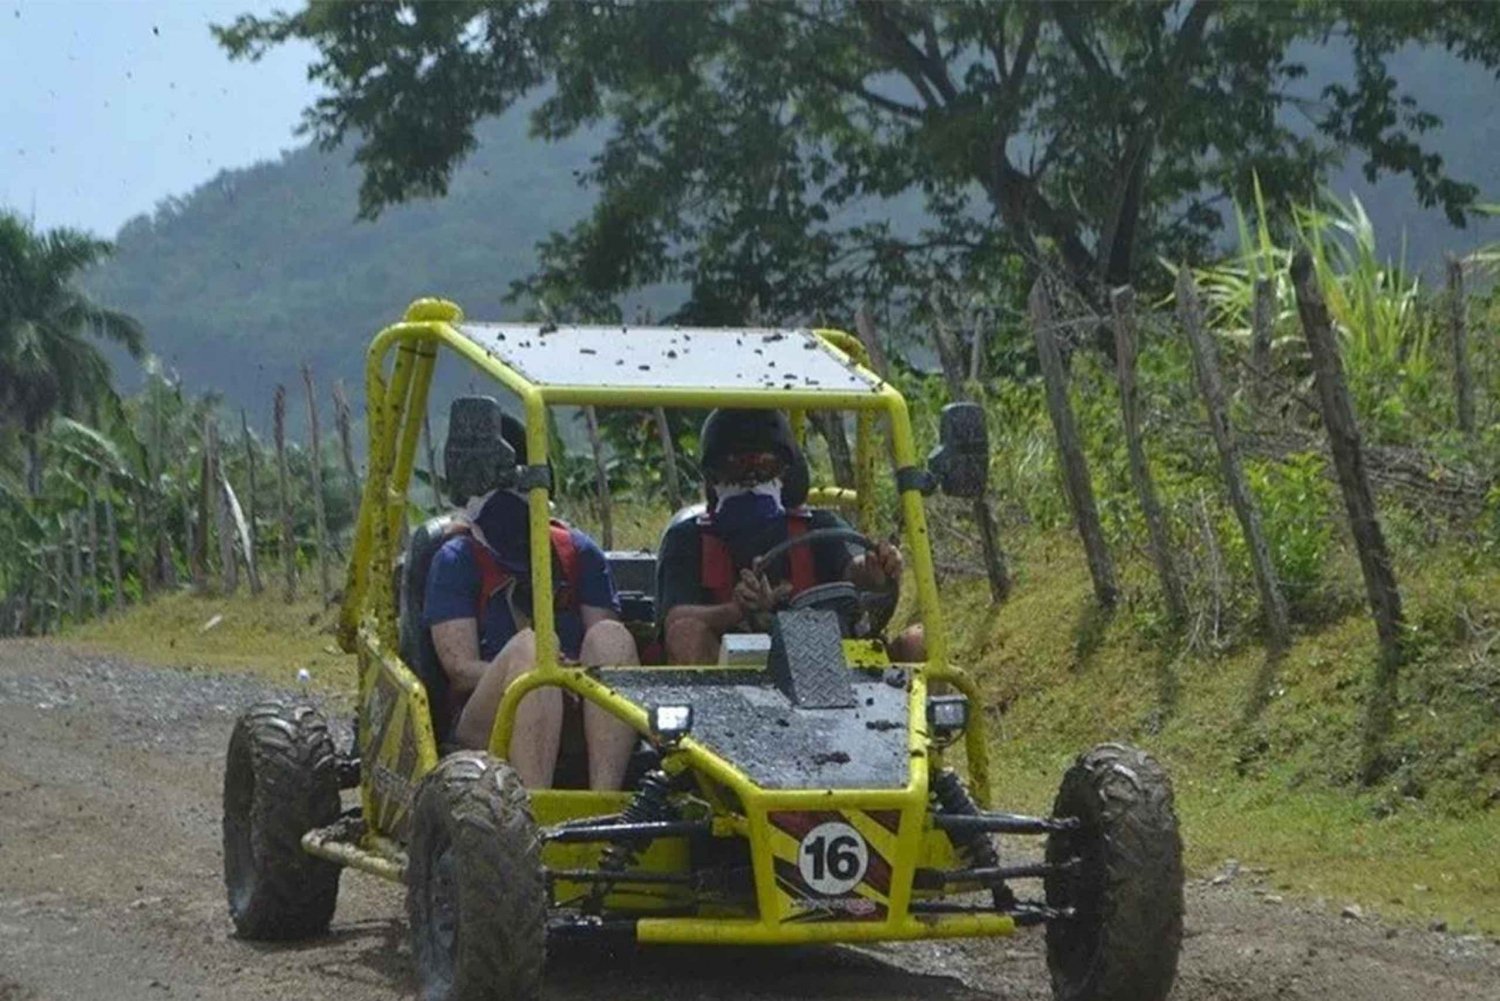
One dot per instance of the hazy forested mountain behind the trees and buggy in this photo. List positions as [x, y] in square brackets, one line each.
[266, 268]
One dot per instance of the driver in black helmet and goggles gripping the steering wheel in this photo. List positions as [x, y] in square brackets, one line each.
[710, 576]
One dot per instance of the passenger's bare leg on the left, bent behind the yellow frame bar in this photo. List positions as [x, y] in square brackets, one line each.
[539, 720]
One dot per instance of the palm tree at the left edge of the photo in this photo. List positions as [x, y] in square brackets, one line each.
[47, 362]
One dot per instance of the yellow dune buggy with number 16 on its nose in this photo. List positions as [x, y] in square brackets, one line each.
[794, 793]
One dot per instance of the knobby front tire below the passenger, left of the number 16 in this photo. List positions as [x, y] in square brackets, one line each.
[476, 894]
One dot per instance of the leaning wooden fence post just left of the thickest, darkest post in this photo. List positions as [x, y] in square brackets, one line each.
[1205, 364]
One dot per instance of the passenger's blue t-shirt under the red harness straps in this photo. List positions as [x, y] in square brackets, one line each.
[454, 582]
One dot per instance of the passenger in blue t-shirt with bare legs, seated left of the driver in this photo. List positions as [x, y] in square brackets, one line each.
[479, 610]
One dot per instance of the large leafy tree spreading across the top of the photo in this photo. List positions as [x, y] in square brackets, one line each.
[752, 145]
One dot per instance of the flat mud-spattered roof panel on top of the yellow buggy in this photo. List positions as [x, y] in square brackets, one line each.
[671, 358]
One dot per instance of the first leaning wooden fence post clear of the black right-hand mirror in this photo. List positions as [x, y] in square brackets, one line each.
[1075, 464]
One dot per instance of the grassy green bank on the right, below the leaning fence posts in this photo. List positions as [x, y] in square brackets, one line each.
[1279, 790]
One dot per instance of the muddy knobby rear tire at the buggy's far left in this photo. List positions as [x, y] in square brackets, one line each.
[280, 781]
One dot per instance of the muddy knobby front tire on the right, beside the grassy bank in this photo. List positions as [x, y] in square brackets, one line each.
[1127, 892]
